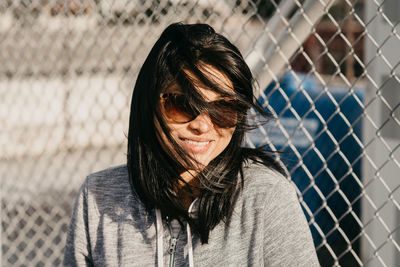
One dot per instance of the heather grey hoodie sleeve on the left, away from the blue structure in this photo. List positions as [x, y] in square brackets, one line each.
[77, 249]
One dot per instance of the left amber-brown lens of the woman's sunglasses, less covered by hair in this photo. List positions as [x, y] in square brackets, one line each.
[178, 108]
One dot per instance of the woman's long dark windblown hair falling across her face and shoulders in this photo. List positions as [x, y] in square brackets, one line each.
[181, 52]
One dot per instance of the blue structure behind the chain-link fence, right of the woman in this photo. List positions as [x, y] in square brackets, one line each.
[335, 169]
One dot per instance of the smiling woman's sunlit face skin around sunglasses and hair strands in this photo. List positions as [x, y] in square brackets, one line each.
[200, 137]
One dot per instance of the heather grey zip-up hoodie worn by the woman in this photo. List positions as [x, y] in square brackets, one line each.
[110, 226]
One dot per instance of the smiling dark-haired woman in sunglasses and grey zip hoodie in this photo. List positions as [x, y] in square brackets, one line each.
[190, 194]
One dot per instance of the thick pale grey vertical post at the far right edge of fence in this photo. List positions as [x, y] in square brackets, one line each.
[380, 214]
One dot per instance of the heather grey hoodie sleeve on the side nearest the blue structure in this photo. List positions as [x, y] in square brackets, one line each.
[287, 237]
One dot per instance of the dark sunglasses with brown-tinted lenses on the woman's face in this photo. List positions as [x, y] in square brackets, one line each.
[223, 112]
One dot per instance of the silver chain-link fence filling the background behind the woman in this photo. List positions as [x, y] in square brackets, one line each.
[327, 71]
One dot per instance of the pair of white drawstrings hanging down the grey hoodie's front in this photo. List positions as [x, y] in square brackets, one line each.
[160, 249]
